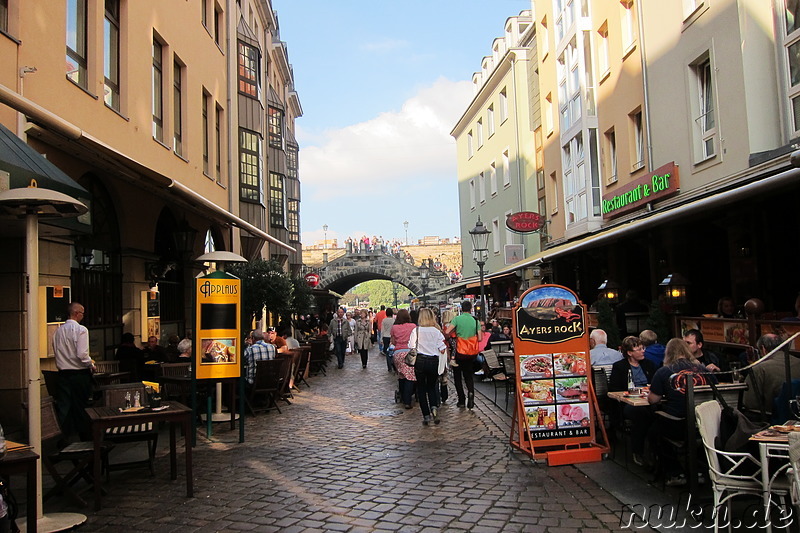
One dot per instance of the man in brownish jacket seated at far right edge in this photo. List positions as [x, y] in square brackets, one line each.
[767, 377]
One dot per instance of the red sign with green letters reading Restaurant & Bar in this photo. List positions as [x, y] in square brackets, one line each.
[659, 184]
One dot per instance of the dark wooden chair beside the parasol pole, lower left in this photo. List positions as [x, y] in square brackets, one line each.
[80, 454]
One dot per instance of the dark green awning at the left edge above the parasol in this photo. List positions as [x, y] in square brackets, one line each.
[25, 166]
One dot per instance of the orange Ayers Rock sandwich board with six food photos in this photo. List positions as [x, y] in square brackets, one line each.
[555, 408]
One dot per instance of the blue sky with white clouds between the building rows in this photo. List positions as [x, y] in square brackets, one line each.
[382, 83]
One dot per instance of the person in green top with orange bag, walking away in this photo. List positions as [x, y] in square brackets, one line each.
[468, 335]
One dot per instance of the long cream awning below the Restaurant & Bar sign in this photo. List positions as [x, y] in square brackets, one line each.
[714, 199]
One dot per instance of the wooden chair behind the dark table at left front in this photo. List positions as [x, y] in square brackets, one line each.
[114, 396]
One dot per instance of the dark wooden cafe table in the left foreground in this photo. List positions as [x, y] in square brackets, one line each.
[176, 414]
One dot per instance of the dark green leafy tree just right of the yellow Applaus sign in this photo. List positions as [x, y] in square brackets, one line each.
[264, 285]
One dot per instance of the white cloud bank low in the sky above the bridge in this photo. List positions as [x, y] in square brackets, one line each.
[406, 149]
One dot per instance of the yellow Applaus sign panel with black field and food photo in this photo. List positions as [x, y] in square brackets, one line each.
[217, 349]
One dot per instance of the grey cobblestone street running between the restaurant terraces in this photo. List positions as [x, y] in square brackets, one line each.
[345, 457]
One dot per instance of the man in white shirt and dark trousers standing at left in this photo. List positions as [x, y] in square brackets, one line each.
[75, 367]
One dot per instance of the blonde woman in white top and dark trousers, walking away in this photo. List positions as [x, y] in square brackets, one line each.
[431, 363]
